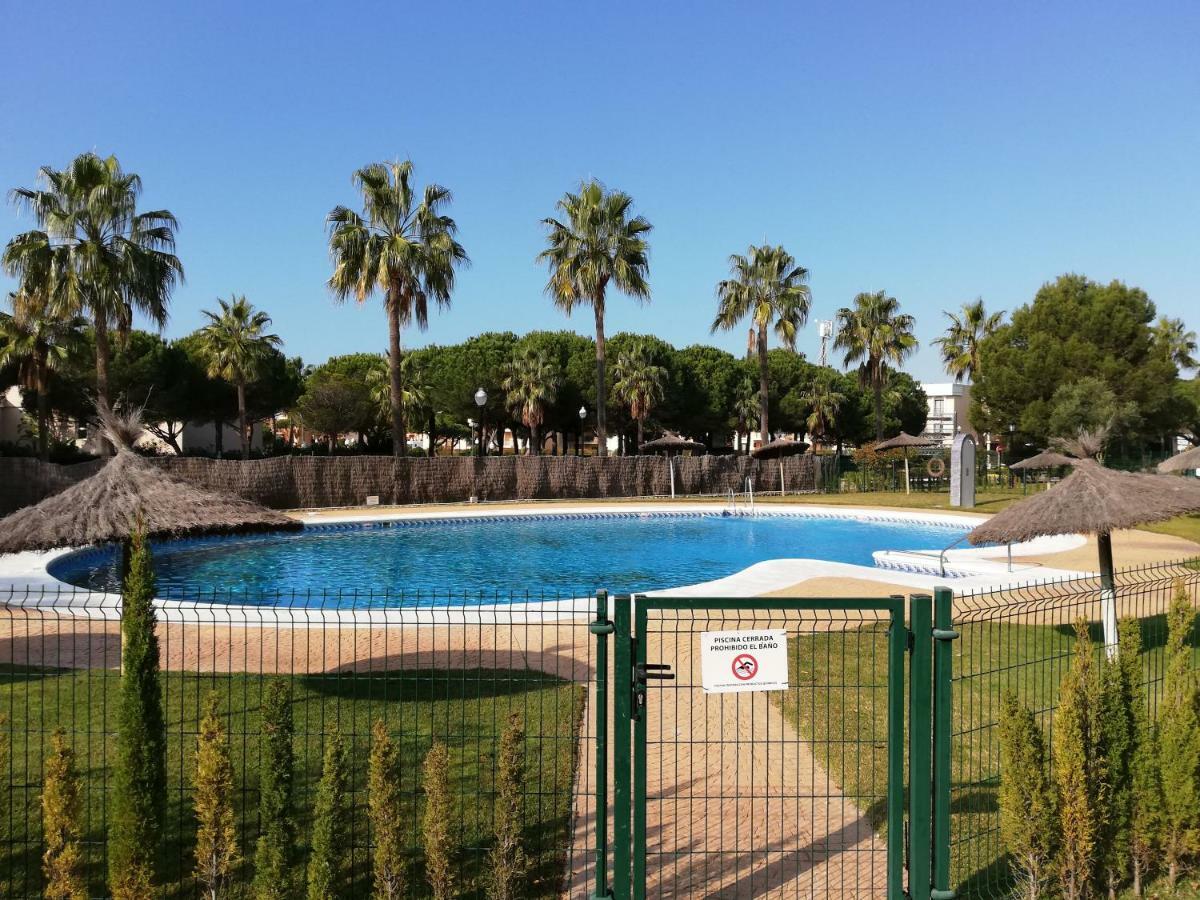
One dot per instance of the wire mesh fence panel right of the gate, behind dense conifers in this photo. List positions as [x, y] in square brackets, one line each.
[1023, 640]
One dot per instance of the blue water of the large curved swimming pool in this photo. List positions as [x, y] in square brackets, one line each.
[481, 561]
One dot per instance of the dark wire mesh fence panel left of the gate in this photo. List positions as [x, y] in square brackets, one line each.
[454, 670]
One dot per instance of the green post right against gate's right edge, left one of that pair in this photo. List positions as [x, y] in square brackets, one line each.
[921, 728]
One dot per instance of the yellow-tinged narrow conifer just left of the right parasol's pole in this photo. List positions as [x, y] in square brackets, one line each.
[1077, 771]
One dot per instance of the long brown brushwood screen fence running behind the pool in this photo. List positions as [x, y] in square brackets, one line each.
[309, 482]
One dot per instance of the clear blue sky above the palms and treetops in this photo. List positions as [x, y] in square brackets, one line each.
[938, 151]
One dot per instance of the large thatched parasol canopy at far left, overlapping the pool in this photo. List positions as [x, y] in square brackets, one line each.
[130, 493]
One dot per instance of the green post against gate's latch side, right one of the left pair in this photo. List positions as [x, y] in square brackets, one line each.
[623, 676]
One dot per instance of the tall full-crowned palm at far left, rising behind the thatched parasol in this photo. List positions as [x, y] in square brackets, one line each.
[100, 256]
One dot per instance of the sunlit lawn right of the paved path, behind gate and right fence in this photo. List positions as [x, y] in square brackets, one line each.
[838, 703]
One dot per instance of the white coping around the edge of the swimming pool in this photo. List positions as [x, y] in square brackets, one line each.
[27, 583]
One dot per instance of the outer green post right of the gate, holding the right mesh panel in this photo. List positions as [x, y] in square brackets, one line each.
[944, 668]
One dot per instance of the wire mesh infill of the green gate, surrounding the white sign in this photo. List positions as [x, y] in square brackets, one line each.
[771, 794]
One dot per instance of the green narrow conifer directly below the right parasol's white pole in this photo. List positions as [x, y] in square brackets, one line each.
[1119, 734]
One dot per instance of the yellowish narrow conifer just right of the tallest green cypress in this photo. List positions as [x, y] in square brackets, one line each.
[217, 836]
